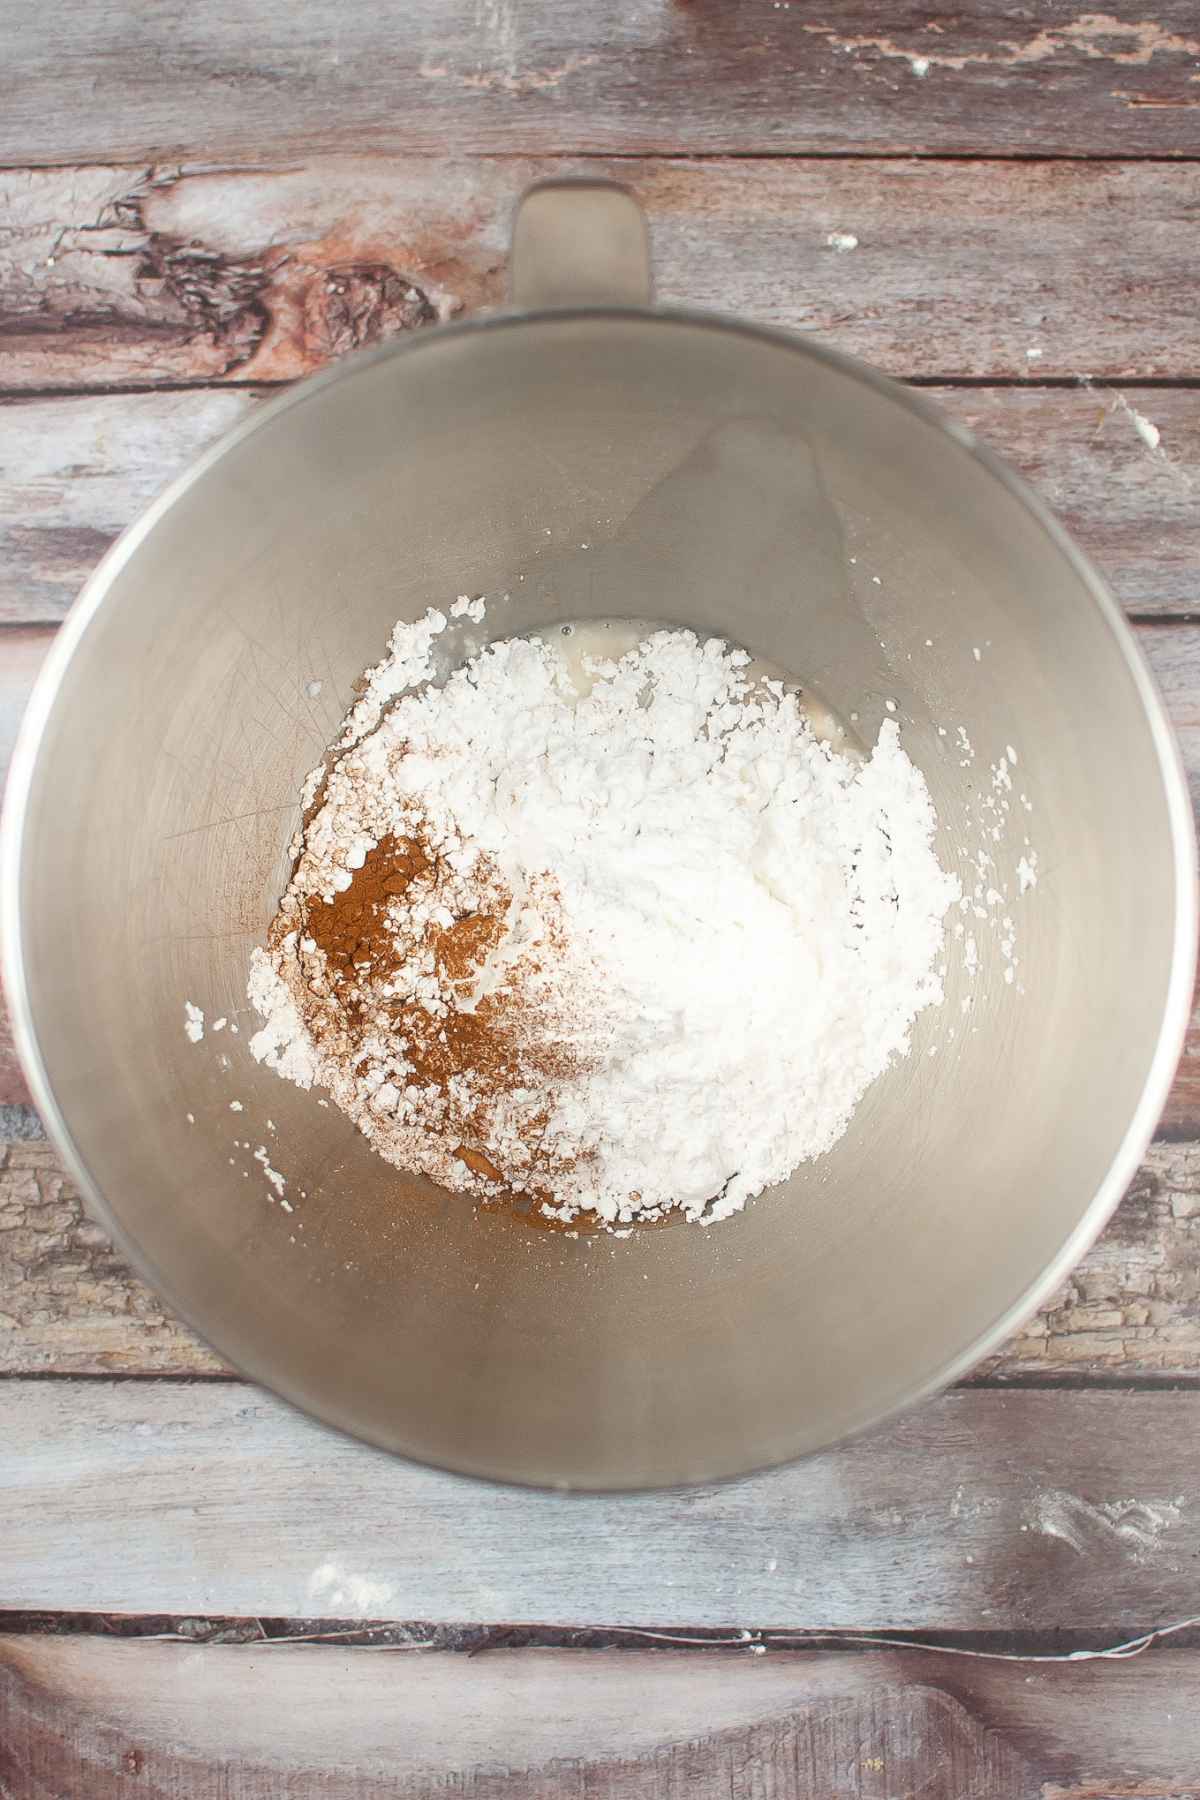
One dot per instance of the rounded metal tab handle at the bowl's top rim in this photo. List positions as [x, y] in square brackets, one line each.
[578, 244]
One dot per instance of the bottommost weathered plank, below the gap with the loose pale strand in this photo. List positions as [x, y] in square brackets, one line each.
[84, 1716]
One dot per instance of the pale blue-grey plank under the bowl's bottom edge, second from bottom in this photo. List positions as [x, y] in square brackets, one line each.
[985, 1509]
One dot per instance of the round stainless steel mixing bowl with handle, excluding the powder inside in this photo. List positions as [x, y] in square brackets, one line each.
[733, 480]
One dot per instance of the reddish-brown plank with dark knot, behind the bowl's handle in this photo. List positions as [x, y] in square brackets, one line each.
[962, 269]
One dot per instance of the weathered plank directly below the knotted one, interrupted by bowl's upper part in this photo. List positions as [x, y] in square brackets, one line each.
[75, 471]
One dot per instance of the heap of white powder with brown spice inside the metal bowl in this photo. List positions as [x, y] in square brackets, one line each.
[623, 946]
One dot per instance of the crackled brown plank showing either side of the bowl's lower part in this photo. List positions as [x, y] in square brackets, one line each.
[71, 1306]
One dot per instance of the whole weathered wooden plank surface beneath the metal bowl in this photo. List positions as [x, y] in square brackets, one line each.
[204, 1594]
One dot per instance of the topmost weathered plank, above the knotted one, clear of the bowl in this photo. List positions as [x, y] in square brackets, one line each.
[697, 75]
